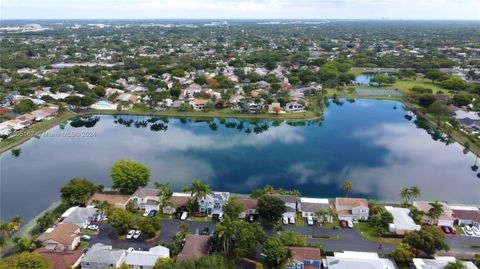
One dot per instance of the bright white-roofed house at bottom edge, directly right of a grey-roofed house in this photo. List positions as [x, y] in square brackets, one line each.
[140, 259]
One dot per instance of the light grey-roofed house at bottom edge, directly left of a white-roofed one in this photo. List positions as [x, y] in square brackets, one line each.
[101, 256]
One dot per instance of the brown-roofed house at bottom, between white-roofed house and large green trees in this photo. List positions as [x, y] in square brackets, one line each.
[196, 246]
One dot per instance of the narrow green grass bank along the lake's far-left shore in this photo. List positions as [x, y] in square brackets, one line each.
[16, 140]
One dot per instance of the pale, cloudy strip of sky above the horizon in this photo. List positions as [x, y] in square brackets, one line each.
[241, 9]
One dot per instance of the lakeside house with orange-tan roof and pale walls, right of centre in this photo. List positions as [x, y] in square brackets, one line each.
[352, 209]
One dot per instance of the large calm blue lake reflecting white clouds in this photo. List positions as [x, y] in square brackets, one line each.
[373, 143]
